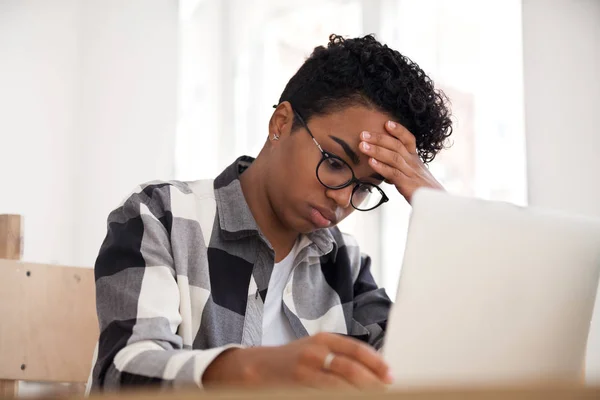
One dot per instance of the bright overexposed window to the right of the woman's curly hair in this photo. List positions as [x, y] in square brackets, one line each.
[472, 50]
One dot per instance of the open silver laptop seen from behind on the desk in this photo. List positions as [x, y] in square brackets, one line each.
[492, 294]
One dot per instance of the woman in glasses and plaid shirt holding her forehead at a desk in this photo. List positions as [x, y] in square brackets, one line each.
[247, 280]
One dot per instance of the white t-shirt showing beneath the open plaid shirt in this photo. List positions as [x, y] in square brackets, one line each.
[277, 330]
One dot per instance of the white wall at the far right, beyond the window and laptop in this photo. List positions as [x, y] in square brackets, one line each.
[561, 41]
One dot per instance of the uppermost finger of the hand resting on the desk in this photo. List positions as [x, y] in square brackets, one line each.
[358, 351]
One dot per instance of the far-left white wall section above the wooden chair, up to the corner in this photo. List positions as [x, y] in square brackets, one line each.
[38, 95]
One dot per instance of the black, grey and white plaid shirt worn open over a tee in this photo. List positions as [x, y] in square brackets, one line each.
[170, 297]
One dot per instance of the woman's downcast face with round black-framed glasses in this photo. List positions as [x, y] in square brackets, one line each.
[299, 200]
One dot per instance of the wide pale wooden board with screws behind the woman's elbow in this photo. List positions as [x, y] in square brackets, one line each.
[49, 326]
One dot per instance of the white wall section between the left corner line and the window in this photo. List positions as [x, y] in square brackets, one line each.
[128, 108]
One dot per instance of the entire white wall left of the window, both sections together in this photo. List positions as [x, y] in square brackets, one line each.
[87, 111]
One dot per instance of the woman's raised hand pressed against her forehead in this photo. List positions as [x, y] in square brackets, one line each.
[395, 157]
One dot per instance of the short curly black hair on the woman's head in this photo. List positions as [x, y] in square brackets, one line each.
[364, 71]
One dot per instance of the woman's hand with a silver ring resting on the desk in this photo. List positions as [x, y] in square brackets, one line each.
[301, 363]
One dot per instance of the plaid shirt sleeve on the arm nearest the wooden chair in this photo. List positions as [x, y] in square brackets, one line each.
[138, 298]
